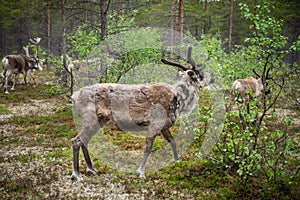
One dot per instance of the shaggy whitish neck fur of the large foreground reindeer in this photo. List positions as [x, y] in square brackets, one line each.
[187, 96]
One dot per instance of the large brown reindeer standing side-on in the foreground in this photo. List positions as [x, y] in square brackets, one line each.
[151, 107]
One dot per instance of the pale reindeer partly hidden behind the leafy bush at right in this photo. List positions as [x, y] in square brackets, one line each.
[244, 87]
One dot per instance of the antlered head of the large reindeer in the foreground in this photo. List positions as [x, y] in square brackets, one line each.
[192, 73]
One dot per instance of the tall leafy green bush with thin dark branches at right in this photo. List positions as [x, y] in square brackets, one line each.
[257, 143]
